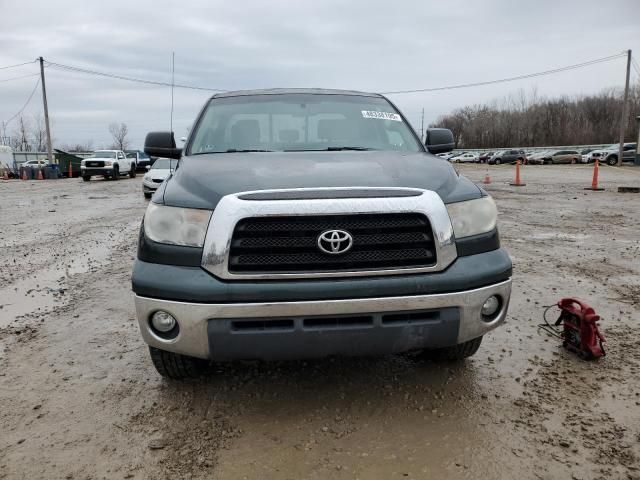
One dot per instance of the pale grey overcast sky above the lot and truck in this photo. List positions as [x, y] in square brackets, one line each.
[364, 45]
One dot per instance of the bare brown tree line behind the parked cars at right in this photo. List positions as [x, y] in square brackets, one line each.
[528, 120]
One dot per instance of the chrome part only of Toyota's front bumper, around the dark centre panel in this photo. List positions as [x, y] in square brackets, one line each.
[193, 318]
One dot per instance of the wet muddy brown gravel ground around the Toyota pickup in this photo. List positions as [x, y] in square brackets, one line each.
[79, 397]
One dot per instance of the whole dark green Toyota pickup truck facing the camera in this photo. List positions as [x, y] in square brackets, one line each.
[309, 223]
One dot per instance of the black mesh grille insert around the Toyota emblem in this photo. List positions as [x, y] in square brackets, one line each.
[287, 244]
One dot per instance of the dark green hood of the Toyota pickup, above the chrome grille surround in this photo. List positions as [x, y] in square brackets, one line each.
[202, 180]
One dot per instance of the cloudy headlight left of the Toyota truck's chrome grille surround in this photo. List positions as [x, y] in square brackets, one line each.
[176, 226]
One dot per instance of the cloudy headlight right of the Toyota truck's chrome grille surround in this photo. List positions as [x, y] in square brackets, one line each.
[473, 217]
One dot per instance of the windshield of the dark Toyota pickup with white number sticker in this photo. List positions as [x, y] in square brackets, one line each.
[301, 122]
